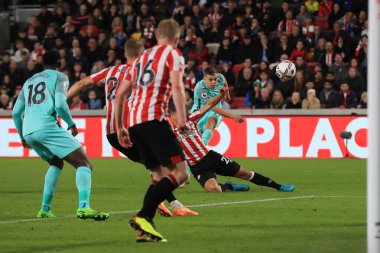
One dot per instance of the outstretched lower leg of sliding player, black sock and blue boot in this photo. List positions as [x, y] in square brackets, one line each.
[261, 180]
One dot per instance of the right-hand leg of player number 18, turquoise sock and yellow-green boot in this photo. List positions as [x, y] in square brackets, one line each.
[79, 160]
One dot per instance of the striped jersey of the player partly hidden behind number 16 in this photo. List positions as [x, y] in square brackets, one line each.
[111, 79]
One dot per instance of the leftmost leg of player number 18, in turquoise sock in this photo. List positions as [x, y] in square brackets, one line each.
[51, 179]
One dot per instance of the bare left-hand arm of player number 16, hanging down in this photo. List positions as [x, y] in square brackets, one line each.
[122, 133]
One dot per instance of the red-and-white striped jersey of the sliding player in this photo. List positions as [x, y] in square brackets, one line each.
[191, 143]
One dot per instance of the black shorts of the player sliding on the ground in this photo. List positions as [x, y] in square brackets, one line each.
[214, 164]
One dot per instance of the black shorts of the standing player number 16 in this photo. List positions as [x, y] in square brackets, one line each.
[156, 144]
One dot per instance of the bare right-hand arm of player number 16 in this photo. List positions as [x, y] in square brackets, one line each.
[178, 92]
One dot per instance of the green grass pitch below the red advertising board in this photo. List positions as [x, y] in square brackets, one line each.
[276, 222]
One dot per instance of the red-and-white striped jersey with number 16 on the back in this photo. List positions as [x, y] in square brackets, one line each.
[151, 85]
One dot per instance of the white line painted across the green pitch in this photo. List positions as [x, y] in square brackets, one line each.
[195, 205]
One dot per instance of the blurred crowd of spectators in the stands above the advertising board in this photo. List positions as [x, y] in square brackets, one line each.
[245, 39]
